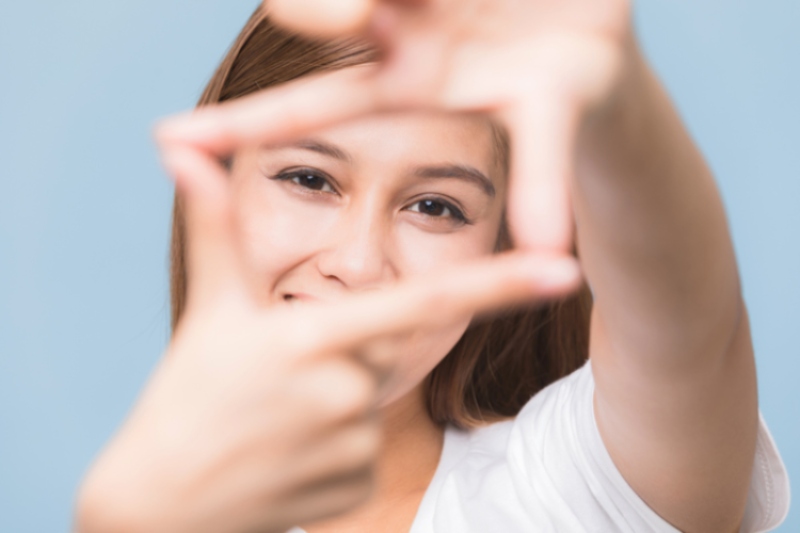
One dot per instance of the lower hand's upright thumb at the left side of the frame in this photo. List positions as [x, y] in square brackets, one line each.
[213, 265]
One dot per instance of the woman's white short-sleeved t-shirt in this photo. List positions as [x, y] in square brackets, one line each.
[547, 470]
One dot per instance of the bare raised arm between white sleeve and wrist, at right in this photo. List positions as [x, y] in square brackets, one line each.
[676, 392]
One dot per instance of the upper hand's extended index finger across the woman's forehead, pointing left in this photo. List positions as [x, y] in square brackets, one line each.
[279, 114]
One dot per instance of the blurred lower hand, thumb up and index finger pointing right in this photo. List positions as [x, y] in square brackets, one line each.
[259, 418]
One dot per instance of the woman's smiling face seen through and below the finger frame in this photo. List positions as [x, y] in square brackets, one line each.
[363, 205]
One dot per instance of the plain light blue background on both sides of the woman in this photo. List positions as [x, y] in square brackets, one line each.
[84, 206]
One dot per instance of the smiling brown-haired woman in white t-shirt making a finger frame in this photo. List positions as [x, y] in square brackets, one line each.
[261, 416]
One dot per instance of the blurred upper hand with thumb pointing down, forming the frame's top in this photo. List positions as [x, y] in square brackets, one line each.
[541, 67]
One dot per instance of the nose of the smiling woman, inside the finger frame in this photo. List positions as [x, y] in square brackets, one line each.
[358, 252]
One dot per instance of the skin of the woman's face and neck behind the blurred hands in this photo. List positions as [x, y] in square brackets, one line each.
[366, 230]
